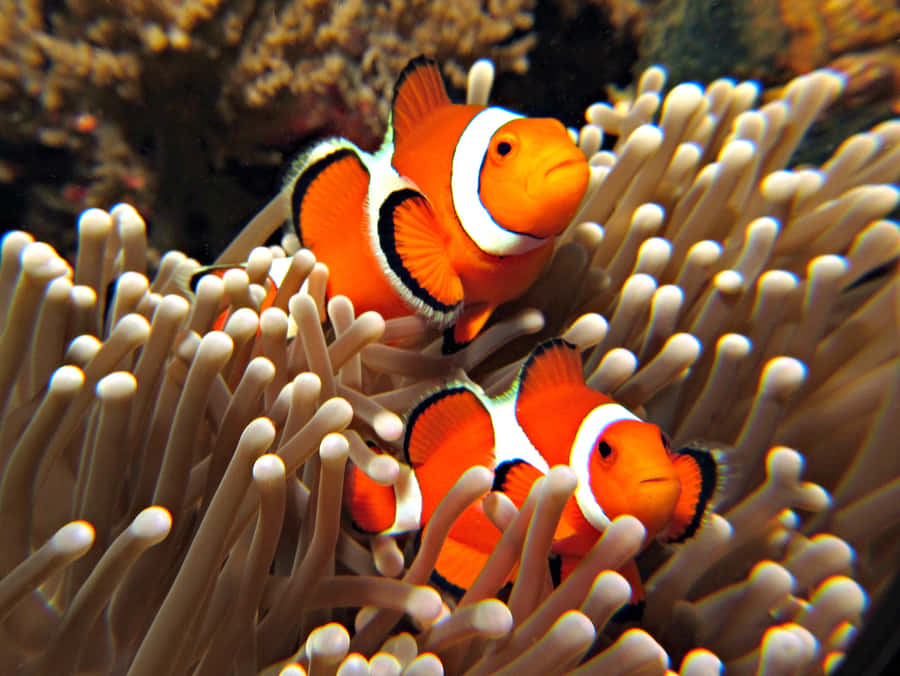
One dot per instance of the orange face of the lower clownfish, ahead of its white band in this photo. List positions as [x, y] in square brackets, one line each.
[631, 472]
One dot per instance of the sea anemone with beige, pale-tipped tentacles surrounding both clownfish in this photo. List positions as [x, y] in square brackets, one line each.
[171, 494]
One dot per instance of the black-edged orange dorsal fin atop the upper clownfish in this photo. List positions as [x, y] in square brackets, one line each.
[419, 90]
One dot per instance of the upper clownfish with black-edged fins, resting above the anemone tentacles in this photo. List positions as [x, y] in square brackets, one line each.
[455, 214]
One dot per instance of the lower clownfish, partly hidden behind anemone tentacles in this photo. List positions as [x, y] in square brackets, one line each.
[623, 465]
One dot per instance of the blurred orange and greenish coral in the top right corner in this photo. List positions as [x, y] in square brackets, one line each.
[774, 40]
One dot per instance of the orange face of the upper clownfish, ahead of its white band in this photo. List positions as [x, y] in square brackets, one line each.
[533, 177]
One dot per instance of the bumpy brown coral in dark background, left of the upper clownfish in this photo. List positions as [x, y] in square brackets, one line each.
[177, 90]
